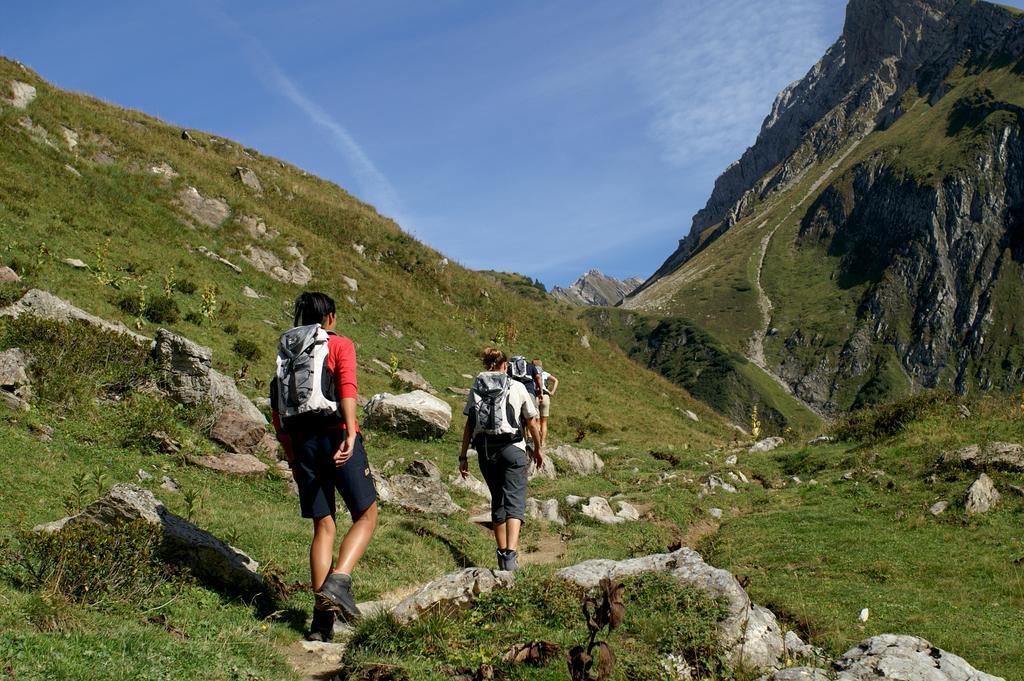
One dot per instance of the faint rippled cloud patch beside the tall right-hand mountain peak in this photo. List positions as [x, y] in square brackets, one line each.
[715, 69]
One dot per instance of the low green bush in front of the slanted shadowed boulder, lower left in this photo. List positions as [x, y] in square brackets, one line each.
[88, 563]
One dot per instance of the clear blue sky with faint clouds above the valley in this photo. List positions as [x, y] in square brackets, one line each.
[541, 138]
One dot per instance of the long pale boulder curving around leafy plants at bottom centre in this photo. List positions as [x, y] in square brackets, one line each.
[750, 634]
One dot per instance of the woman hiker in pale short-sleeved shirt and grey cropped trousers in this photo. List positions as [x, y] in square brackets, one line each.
[497, 411]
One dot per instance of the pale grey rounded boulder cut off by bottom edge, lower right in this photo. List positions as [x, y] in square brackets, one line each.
[890, 657]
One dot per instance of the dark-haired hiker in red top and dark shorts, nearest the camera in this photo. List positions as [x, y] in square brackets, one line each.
[313, 396]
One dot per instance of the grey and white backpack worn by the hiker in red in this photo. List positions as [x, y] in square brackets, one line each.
[303, 392]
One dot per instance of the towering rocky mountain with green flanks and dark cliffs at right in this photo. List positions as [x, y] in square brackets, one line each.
[870, 243]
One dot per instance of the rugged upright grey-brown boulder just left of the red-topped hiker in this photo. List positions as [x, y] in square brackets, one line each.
[188, 377]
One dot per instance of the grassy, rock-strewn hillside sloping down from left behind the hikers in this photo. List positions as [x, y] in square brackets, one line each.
[226, 238]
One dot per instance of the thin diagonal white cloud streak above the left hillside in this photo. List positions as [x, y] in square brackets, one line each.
[373, 185]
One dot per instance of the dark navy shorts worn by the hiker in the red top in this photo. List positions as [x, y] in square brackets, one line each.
[318, 477]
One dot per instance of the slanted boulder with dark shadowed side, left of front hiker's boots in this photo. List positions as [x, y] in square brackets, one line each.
[208, 558]
